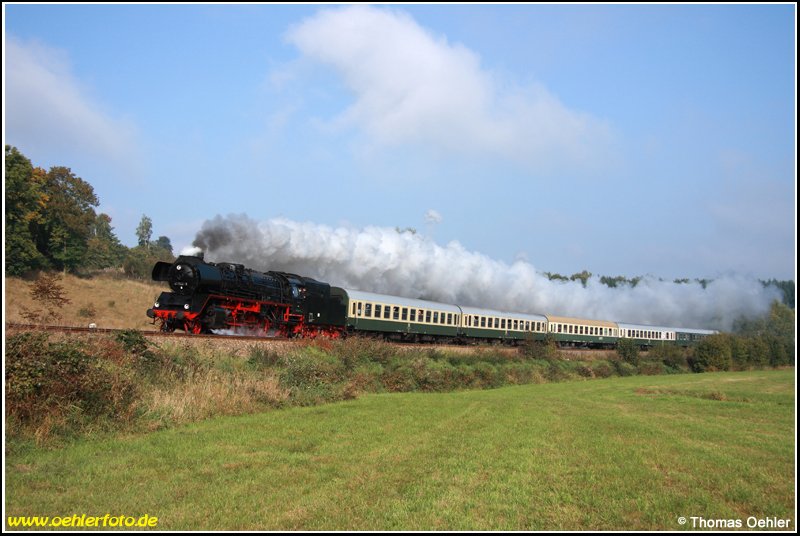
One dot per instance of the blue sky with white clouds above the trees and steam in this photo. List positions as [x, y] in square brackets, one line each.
[625, 140]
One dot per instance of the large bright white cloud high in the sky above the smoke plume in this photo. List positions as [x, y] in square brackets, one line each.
[414, 87]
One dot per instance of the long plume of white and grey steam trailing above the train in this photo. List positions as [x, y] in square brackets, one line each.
[383, 260]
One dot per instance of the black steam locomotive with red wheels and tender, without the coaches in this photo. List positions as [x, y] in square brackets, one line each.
[210, 296]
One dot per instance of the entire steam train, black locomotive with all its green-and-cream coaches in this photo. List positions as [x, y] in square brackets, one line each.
[207, 297]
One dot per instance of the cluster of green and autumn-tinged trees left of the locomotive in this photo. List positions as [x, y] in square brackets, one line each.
[51, 224]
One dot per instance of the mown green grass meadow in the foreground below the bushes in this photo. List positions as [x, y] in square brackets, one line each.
[622, 453]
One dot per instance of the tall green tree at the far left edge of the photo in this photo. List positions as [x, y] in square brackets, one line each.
[25, 200]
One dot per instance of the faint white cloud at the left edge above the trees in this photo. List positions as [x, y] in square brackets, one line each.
[47, 108]
